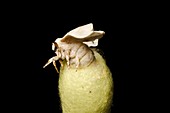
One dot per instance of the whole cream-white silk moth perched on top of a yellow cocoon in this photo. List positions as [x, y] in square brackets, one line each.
[74, 47]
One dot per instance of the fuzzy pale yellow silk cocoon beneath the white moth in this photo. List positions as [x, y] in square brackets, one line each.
[88, 89]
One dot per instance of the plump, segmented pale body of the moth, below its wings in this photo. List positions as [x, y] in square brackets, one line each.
[77, 54]
